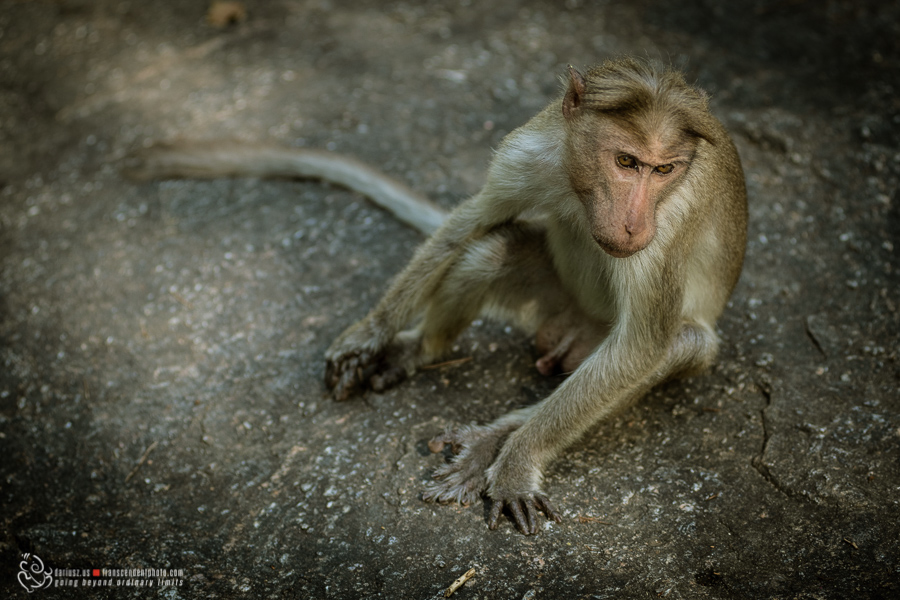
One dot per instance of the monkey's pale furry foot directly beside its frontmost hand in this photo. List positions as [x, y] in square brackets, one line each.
[463, 480]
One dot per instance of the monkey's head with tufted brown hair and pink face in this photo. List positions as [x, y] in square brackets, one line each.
[633, 130]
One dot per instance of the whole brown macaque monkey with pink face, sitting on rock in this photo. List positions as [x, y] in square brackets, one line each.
[612, 227]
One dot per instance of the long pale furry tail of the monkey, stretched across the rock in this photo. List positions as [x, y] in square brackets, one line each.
[215, 159]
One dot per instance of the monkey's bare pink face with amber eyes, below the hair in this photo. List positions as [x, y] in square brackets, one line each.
[621, 176]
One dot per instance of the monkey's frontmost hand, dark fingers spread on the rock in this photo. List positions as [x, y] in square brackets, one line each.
[523, 501]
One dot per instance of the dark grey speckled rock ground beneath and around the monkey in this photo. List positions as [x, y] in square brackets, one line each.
[161, 403]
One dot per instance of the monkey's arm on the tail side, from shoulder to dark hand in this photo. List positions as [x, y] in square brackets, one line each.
[523, 174]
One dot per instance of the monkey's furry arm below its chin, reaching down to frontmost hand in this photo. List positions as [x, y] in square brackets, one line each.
[646, 343]
